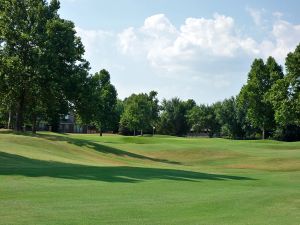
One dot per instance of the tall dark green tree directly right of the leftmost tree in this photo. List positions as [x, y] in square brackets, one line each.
[65, 68]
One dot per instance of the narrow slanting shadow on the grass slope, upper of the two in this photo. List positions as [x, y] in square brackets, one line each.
[91, 144]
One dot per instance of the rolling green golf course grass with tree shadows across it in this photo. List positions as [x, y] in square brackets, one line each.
[86, 179]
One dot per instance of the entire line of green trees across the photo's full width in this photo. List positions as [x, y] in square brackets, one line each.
[44, 76]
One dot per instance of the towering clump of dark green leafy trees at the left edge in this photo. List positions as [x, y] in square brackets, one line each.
[41, 59]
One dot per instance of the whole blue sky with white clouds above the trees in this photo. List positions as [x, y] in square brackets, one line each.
[191, 49]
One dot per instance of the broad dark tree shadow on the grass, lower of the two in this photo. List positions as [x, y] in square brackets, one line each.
[11, 164]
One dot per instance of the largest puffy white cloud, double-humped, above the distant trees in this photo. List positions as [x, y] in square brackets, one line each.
[197, 40]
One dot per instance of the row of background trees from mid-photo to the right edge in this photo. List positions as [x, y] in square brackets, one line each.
[267, 106]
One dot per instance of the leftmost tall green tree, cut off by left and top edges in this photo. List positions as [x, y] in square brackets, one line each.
[20, 35]
